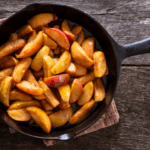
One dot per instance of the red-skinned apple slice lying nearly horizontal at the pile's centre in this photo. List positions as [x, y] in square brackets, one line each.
[57, 80]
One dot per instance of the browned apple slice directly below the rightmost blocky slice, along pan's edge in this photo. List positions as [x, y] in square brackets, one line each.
[99, 90]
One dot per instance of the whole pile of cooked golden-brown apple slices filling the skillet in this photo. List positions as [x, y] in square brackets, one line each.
[34, 80]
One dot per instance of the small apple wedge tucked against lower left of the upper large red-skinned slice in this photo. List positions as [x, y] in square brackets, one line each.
[49, 42]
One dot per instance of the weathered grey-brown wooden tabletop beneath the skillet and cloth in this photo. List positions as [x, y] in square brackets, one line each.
[126, 21]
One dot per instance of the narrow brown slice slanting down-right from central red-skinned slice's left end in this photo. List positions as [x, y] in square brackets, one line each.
[50, 96]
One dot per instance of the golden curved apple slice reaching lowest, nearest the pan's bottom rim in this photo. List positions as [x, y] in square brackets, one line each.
[41, 118]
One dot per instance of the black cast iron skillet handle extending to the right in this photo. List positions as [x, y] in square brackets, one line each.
[140, 47]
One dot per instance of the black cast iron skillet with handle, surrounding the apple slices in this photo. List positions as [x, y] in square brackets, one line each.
[114, 53]
